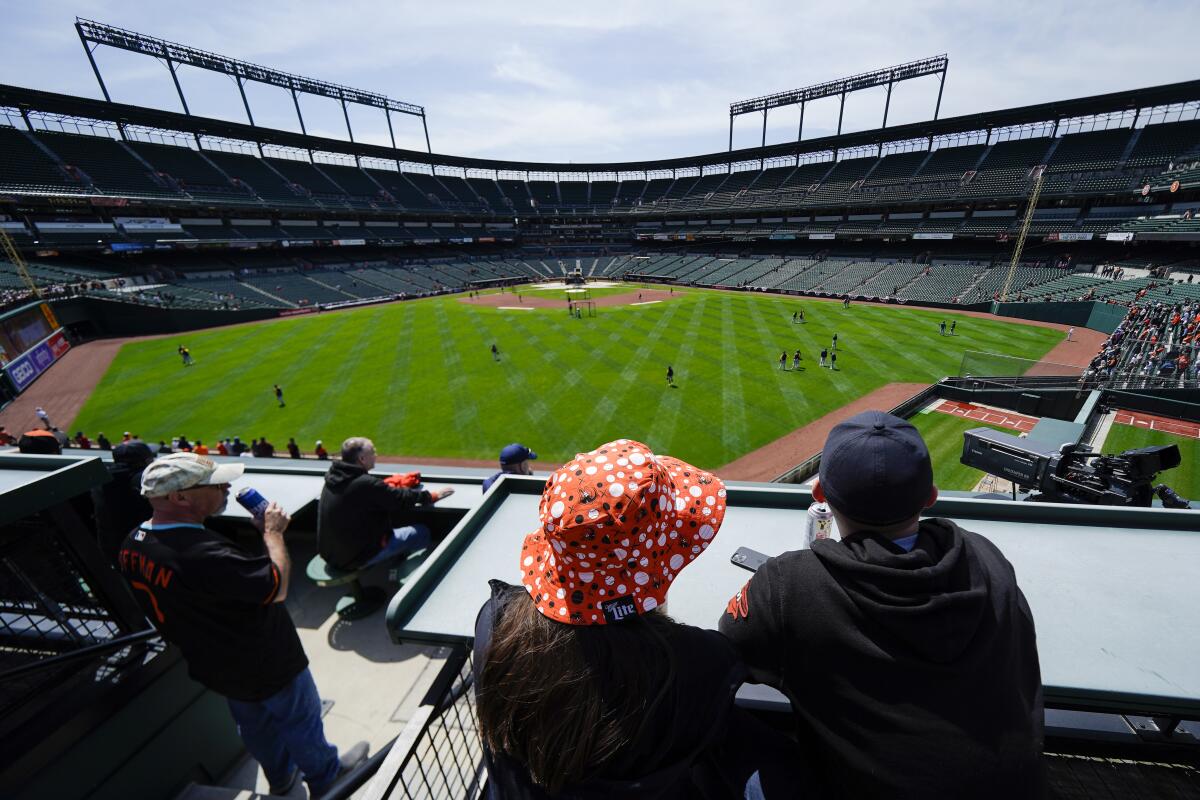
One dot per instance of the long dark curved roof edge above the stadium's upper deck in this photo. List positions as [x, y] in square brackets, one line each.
[33, 100]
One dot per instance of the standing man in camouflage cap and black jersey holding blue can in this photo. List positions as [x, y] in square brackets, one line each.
[223, 606]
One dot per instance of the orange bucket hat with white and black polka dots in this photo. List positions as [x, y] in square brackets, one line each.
[619, 525]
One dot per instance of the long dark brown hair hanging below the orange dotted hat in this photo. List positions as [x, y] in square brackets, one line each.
[563, 701]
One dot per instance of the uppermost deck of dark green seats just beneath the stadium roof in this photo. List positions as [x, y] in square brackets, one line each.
[1103, 164]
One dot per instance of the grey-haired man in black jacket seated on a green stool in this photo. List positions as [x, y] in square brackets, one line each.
[362, 519]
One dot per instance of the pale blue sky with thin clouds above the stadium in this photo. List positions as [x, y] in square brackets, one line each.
[607, 81]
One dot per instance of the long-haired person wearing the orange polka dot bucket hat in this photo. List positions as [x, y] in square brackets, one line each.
[592, 693]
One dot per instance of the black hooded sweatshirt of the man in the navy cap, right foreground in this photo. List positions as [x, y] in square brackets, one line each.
[911, 675]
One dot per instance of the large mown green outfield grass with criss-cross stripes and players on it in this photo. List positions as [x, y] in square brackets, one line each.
[419, 380]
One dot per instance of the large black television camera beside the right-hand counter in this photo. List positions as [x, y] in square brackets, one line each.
[1073, 473]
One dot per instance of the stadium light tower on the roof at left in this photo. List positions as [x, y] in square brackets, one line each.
[241, 71]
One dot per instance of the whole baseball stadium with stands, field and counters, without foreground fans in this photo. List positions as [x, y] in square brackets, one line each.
[1021, 287]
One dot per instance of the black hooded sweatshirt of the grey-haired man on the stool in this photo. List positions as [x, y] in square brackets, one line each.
[358, 514]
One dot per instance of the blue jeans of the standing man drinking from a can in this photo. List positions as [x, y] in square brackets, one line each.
[285, 732]
